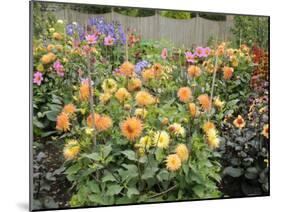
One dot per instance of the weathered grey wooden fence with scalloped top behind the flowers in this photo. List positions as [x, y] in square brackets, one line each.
[191, 32]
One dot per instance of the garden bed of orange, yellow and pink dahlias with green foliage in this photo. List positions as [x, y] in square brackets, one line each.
[133, 121]
